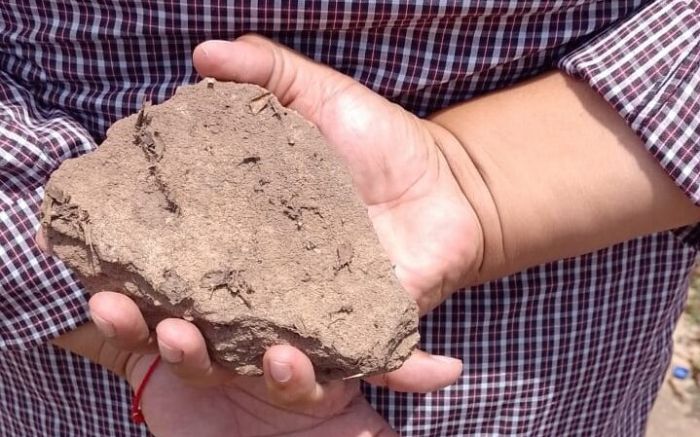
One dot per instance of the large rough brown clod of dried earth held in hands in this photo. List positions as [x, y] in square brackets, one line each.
[225, 208]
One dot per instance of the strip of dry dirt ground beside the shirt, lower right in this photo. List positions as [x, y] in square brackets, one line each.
[677, 409]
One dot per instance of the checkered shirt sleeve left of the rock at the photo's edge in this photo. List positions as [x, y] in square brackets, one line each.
[40, 298]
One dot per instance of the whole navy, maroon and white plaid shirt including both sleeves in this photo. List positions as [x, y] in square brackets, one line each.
[574, 347]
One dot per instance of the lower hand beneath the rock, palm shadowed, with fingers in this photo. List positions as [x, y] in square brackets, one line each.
[189, 395]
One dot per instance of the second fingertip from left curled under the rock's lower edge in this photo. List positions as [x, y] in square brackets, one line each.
[183, 348]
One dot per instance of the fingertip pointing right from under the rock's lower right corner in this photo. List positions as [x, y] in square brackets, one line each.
[421, 373]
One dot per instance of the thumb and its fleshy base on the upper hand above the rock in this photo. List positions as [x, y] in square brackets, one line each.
[383, 146]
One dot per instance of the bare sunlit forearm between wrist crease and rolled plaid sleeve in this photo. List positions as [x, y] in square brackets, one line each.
[553, 172]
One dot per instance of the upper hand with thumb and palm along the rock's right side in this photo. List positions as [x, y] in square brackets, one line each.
[419, 211]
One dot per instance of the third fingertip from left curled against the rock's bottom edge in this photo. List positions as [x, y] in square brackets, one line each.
[291, 381]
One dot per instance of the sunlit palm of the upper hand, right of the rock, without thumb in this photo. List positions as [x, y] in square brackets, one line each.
[419, 212]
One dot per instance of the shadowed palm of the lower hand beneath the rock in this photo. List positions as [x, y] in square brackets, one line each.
[174, 408]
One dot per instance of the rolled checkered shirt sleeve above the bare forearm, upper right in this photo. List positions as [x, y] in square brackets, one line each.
[648, 68]
